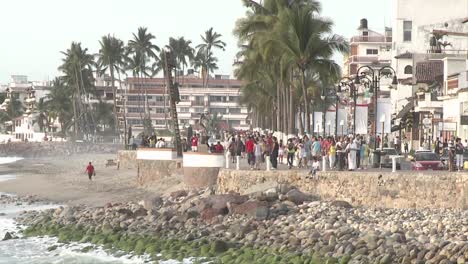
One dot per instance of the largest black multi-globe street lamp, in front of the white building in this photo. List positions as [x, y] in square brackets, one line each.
[375, 75]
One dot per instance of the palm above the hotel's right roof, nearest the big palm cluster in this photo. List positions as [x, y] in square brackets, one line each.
[210, 40]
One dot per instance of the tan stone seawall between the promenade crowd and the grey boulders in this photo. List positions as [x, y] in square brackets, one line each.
[373, 189]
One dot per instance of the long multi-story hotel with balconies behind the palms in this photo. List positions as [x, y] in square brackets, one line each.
[221, 96]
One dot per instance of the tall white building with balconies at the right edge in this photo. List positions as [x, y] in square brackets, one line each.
[429, 46]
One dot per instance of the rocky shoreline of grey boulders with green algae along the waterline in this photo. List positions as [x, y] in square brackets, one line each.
[280, 225]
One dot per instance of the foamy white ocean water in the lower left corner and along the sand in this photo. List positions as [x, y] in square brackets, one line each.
[34, 250]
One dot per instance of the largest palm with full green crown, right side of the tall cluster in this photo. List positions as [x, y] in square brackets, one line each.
[299, 34]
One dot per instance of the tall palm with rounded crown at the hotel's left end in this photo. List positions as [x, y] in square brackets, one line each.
[111, 56]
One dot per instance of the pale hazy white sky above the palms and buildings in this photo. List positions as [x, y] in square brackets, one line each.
[33, 33]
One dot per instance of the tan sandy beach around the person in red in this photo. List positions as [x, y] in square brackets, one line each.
[63, 180]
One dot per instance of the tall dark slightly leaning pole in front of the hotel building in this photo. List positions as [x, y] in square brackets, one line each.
[174, 98]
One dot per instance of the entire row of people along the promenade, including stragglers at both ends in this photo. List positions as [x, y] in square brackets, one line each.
[350, 152]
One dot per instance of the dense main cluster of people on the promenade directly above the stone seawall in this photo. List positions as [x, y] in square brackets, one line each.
[341, 153]
